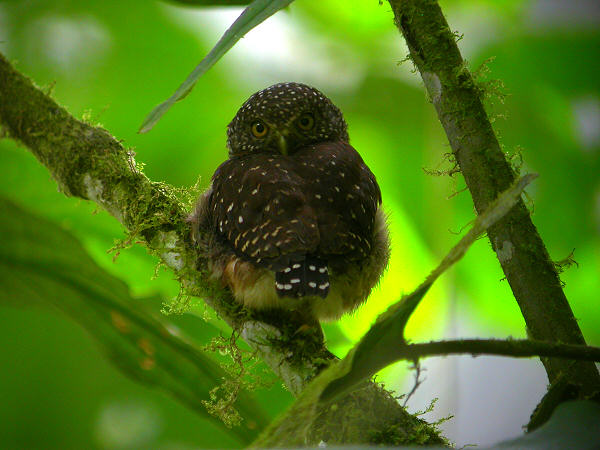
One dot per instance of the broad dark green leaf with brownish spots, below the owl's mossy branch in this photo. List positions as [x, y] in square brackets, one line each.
[42, 263]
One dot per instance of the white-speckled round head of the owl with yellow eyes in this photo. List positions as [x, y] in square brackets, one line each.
[284, 118]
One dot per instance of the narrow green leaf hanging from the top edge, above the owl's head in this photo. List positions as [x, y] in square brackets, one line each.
[254, 14]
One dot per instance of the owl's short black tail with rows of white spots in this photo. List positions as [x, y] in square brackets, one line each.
[304, 277]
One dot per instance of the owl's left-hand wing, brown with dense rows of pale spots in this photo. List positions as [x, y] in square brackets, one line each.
[259, 206]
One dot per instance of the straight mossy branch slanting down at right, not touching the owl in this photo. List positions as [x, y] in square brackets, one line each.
[518, 246]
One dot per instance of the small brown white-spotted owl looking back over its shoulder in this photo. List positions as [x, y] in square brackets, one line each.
[293, 219]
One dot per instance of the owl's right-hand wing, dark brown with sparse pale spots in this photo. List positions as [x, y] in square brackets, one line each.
[345, 196]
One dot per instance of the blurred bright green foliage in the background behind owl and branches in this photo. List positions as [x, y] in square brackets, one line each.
[110, 62]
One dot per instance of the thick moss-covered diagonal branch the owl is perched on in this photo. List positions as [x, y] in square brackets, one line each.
[87, 162]
